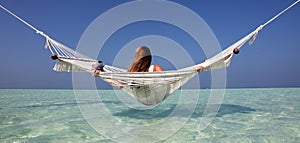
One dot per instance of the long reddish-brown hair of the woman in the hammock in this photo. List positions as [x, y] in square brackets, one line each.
[142, 60]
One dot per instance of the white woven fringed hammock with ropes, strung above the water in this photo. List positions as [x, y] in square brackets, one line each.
[149, 88]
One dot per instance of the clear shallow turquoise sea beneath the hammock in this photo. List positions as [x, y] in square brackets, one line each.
[245, 115]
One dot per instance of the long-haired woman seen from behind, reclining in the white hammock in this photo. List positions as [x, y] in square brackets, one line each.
[142, 62]
